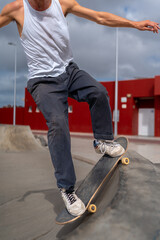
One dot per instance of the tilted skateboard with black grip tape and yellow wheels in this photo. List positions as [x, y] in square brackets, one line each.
[89, 188]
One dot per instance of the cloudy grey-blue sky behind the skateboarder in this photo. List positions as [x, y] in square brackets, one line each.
[93, 46]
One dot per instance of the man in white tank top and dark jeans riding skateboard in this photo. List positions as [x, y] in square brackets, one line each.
[53, 76]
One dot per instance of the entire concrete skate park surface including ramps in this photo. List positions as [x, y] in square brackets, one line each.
[128, 206]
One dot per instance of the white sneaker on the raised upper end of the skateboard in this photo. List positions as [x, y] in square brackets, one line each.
[112, 148]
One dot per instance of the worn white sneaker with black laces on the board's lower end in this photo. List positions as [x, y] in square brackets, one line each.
[73, 204]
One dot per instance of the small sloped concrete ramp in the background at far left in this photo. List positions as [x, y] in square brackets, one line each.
[17, 138]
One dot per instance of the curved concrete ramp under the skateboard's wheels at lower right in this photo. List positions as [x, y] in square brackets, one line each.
[128, 208]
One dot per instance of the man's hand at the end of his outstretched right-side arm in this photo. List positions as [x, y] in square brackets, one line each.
[147, 26]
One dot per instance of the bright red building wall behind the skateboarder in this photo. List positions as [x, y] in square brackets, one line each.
[140, 93]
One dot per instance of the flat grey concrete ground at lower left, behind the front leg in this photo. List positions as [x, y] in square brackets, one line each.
[29, 199]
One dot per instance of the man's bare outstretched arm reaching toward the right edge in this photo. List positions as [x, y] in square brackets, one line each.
[108, 19]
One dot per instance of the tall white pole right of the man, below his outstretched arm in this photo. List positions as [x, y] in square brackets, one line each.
[116, 90]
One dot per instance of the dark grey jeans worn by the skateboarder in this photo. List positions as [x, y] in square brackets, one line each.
[50, 95]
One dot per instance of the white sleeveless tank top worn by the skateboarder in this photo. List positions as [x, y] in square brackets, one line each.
[45, 38]
